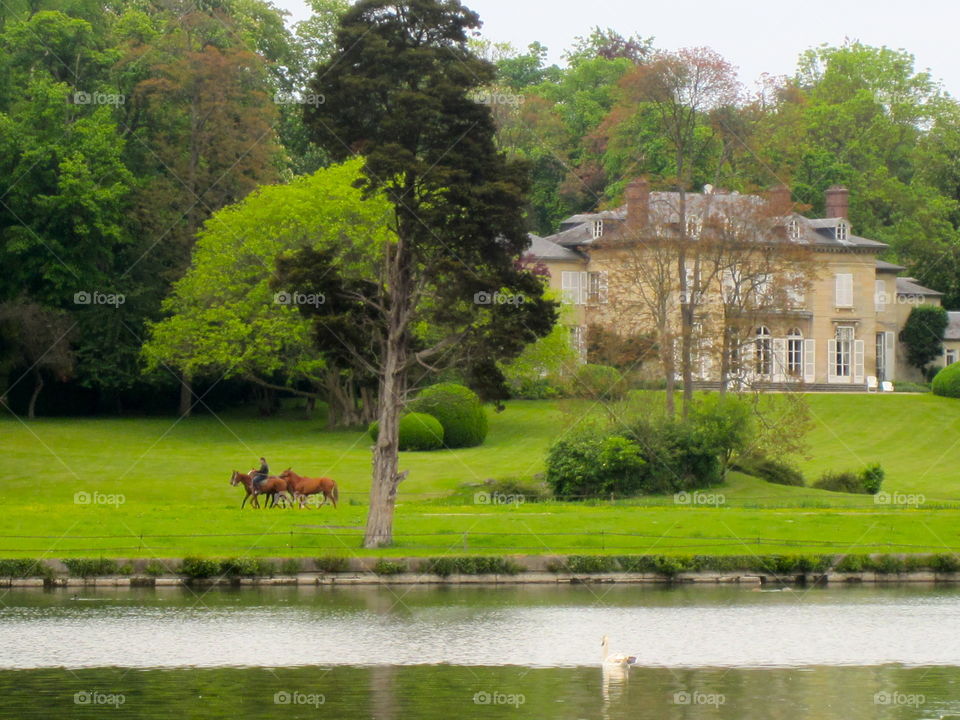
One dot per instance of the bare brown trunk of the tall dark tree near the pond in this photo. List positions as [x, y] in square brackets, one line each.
[386, 478]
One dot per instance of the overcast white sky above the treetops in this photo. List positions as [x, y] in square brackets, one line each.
[755, 36]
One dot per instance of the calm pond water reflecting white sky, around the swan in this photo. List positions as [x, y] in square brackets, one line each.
[481, 653]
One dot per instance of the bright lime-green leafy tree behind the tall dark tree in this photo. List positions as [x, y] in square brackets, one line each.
[226, 319]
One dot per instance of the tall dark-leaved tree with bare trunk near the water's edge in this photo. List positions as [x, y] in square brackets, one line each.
[398, 92]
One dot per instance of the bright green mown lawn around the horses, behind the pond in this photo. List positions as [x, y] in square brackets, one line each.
[174, 479]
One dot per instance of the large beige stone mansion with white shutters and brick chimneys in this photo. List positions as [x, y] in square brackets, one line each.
[836, 326]
